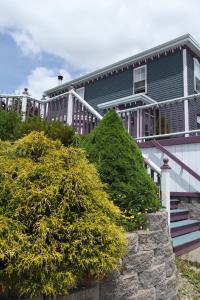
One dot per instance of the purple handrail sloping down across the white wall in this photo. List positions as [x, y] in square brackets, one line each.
[177, 160]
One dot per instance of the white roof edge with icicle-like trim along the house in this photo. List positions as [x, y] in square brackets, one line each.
[184, 40]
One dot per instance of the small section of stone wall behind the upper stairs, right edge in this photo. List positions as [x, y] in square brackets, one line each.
[192, 204]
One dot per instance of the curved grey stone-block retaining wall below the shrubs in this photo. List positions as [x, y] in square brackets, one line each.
[147, 272]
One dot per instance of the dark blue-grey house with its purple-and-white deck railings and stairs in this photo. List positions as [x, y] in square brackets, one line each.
[157, 95]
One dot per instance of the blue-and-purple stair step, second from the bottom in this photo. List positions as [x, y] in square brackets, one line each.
[182, 227]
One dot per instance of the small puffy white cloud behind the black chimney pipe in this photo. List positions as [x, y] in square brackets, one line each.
[41, 79]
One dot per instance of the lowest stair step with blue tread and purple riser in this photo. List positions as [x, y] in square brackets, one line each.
[186, 242]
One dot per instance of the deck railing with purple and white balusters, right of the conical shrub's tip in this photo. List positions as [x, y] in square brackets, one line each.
[174, 117]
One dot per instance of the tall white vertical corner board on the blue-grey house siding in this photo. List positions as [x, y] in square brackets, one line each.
[185, 91]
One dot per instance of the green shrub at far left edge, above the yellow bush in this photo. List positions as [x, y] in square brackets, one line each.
[8, 122]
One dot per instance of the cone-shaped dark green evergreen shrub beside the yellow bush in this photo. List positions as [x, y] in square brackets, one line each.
[120, 164]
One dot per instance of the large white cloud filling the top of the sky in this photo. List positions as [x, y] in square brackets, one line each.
[92, 33]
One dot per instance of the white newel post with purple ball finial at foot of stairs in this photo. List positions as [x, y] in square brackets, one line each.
[165, 187]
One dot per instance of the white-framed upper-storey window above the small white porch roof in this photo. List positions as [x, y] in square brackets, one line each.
[140, 80]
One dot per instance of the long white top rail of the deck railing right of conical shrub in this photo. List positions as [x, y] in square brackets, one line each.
[159, 103]
